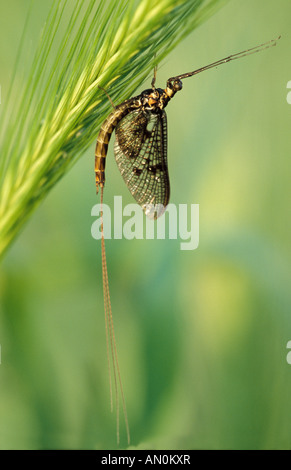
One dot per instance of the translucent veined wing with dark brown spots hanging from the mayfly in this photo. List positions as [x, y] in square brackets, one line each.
[141, 155]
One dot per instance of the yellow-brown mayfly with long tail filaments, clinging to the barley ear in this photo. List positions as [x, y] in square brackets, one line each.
[140, 149]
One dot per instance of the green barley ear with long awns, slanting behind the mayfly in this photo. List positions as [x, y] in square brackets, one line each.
[83, 46]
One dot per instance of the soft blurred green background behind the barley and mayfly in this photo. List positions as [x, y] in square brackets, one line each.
[201, 334]
